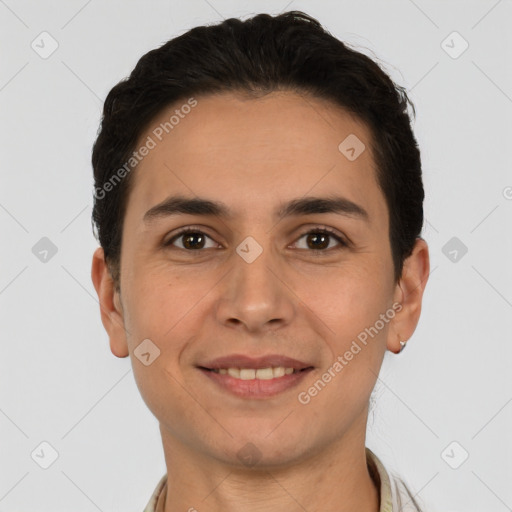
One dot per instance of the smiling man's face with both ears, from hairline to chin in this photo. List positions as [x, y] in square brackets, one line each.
[266, 272]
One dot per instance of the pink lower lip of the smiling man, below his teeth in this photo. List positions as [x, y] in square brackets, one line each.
[256, 388]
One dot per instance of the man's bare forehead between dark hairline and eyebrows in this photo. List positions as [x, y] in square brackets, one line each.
[255, 151]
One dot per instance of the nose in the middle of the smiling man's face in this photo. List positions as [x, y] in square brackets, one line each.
[254, 295]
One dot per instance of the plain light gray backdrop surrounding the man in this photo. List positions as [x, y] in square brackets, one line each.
[60, 383]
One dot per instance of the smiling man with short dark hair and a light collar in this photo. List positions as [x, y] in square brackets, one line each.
[258, 200]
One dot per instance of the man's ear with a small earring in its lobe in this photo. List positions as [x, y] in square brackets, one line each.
[409, 293]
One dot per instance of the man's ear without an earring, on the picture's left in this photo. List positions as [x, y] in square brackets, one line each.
[111, 309]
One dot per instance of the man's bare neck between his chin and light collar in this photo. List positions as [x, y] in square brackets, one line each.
[336, 479]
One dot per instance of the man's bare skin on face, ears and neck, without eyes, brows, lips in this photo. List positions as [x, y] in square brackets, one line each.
[197, 304]
